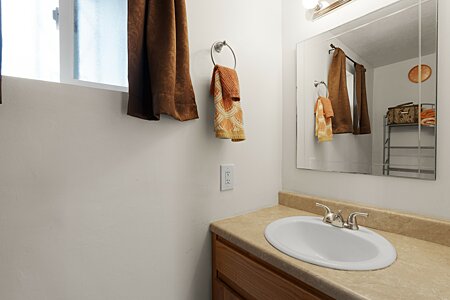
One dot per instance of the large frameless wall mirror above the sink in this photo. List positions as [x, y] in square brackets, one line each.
[366, 94]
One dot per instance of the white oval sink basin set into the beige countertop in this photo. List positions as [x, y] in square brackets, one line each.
[309, 239]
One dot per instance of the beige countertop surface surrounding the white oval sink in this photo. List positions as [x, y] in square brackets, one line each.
[421, 271]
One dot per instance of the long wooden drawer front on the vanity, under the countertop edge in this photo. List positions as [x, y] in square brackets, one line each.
[256, 280]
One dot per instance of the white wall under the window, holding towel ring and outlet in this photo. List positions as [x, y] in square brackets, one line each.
[98, 205]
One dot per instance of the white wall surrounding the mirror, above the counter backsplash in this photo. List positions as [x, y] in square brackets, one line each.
[423, 197]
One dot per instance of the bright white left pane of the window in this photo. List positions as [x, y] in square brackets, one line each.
[30, 39]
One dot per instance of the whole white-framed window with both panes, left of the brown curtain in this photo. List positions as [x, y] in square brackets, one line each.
[81, 42]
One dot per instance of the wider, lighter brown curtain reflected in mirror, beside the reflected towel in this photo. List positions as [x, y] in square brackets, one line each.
[337, 86]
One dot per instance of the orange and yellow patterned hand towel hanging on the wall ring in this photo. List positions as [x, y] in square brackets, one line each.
[228, 119]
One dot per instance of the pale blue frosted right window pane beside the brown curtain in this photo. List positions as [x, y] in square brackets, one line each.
[100, 41]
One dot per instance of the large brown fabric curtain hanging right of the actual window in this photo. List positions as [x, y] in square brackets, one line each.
[158, 60]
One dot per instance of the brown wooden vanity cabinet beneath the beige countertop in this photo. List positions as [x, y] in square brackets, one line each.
[239, 275]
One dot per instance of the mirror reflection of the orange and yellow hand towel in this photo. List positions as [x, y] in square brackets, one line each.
[324, 113]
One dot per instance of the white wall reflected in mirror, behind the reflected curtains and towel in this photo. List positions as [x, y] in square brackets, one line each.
[347, 152]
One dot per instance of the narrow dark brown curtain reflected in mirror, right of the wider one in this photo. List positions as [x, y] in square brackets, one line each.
[361, 124]
